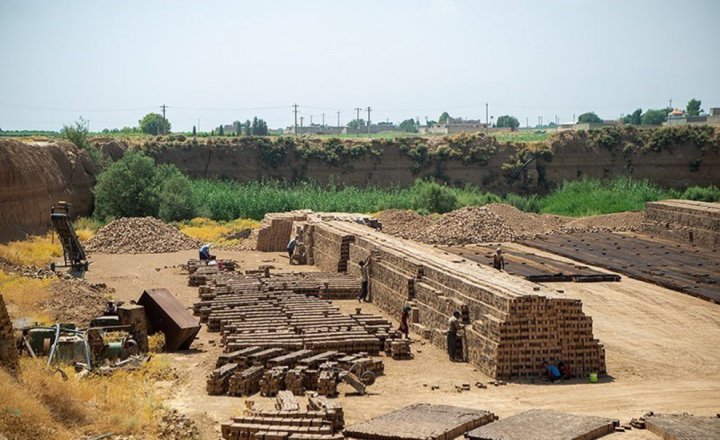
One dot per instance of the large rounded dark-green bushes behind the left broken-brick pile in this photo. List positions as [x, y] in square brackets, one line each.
[134, 186]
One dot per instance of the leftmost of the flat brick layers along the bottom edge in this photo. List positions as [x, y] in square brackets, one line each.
[419, 422]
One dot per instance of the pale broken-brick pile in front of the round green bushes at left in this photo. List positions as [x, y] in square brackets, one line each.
[140, 235]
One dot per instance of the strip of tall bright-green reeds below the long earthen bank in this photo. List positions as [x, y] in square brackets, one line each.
[229, 200]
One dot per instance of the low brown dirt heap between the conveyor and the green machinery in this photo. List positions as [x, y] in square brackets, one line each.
[76, 301]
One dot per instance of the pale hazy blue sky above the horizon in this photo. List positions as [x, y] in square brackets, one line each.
[220, 61]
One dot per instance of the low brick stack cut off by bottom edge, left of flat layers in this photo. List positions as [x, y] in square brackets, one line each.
[283, 425]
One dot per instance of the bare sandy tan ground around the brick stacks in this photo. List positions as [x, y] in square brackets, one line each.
[662, 348]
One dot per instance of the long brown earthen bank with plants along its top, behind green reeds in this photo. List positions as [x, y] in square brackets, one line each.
[674, 157]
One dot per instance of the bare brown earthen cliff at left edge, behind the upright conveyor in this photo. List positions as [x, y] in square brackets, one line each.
[33, 177]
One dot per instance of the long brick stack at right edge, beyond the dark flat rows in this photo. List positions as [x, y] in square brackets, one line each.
[684, 221]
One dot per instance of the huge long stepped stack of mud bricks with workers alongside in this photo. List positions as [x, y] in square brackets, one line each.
[513, 325]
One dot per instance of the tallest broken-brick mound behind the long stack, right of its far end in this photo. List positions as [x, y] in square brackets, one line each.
[471, 224]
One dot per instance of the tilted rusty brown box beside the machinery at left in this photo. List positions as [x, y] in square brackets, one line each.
[167, 315]
